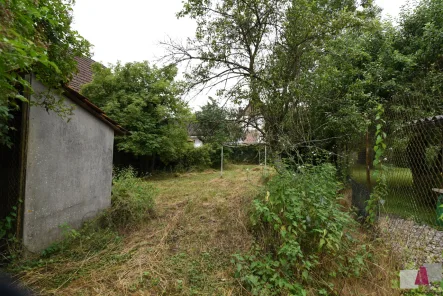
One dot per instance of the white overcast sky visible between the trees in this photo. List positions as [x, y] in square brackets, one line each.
[130, 30]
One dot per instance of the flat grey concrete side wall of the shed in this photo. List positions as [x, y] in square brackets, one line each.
[68, 173]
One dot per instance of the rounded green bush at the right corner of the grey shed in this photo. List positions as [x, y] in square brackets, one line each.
[132, 200]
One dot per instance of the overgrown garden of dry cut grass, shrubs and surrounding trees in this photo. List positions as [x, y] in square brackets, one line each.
[322, 82]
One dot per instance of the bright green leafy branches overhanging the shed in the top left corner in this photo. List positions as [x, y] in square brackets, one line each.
[36, 37]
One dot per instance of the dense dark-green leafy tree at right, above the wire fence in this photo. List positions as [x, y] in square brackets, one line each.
[399, 67]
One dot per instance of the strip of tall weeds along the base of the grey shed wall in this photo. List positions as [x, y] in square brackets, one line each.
[132, 201]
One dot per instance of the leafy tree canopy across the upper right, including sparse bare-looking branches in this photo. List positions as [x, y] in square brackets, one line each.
[315, 71]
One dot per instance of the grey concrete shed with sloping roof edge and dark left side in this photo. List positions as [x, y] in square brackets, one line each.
[61, 170]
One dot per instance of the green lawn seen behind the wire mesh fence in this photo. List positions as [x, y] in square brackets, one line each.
[401, 200]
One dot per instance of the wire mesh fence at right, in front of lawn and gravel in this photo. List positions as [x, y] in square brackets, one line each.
[410, 213]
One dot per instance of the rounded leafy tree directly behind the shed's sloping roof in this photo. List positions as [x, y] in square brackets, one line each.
[146, 101]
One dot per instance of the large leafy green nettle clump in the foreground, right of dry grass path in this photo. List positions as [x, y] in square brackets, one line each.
[304, 238]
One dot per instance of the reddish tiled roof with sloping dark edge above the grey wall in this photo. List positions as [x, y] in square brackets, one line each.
[72, 91]
